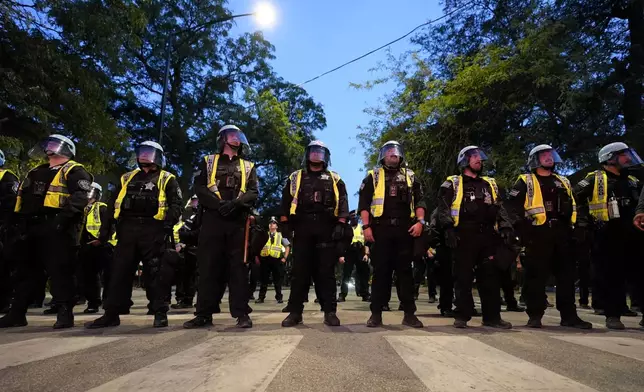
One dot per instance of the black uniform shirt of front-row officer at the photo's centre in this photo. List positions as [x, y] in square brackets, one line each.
[316, 195]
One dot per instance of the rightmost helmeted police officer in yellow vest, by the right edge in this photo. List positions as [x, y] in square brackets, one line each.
[607, 200]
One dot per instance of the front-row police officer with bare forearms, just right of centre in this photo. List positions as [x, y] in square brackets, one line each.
[393, 214]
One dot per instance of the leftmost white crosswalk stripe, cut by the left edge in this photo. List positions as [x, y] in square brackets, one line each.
[19, 353]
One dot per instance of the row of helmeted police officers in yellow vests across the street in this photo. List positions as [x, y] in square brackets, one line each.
[542, 212]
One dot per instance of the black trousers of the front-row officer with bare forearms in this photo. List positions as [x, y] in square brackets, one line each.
[392, 251]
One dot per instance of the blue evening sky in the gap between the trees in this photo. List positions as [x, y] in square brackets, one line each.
[313, 36]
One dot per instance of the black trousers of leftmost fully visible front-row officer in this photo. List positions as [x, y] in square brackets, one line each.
[50, 249]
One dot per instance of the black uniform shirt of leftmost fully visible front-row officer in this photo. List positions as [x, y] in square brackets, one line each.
[34, 189]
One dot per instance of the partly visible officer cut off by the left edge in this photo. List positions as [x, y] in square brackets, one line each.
[8, 192]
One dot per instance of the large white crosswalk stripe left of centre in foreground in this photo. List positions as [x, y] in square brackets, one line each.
[224, 363]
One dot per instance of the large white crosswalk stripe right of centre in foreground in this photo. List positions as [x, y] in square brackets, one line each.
[460, 363]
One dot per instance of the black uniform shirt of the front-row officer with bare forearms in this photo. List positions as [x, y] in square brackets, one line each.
[397, 195]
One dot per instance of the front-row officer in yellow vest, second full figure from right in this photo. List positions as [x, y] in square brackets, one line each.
[543, 211]
